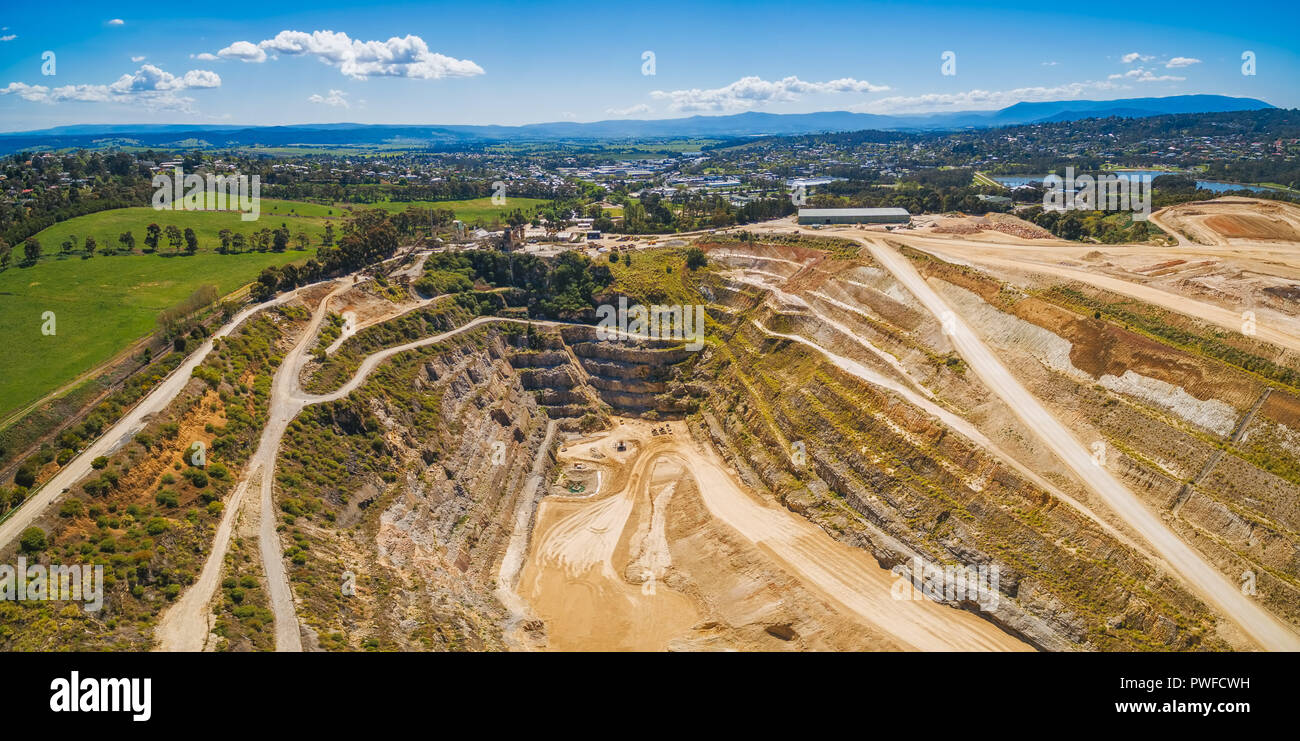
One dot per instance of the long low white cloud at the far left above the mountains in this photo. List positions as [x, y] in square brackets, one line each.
[150, 88]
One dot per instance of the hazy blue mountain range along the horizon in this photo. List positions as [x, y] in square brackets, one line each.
[752, 124]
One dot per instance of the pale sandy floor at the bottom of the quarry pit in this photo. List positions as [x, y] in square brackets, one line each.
[674, 553]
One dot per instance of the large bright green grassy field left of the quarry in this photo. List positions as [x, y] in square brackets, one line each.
[109, 302]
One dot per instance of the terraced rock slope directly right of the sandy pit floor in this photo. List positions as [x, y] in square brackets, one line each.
[879, 474]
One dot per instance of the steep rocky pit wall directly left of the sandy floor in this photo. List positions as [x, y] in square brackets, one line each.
[462, 427]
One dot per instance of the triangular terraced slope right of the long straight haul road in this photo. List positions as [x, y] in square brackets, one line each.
[1175, 402]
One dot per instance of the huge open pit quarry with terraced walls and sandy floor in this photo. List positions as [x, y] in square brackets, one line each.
[1094, 424]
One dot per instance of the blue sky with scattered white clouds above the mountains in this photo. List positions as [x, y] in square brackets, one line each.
[519, 63]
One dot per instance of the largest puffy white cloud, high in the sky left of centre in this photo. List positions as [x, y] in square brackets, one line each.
[408, 57]
